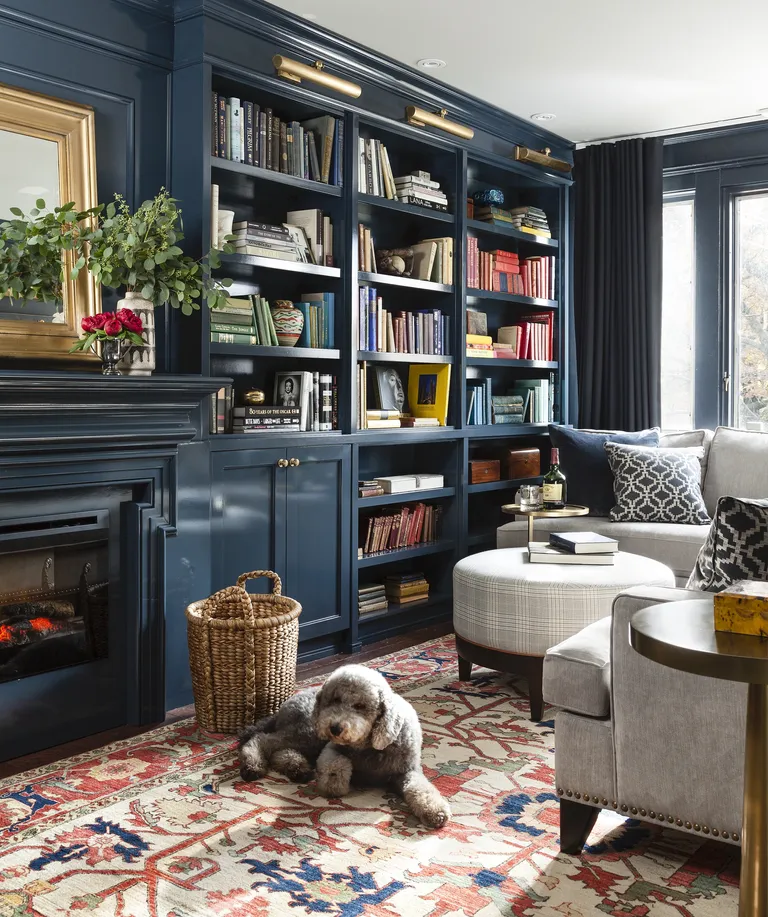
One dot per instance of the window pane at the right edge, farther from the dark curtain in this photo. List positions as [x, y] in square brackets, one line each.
[750, 312]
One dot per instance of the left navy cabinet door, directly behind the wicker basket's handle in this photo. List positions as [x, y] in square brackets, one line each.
[248, 515]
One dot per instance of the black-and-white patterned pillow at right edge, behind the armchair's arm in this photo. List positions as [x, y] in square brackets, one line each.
[736, 547]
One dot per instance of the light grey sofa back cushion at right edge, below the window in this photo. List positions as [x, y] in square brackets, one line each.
[738, 465]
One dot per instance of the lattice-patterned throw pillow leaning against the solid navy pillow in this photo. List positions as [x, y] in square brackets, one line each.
[657, 485]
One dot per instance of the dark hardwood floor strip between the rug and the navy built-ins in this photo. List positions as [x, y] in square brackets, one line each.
[305, 671]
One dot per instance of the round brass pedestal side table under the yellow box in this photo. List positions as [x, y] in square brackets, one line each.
[682, 635]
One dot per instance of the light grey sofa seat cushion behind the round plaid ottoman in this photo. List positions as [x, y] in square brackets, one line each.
[677, 546]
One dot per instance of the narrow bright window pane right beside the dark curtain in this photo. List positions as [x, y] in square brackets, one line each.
[677, 315]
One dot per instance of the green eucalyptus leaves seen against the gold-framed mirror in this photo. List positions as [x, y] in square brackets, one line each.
[31, 247]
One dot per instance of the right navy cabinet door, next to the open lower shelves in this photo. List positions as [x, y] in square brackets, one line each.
[318, 500]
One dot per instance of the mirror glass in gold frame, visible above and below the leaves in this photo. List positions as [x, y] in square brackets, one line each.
[29, 169]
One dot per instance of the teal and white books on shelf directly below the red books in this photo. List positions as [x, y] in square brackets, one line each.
[526, 401]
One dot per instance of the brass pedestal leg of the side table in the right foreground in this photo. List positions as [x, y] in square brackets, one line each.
[753, 894]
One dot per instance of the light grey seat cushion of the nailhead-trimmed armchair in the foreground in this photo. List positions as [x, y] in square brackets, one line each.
[577, 672]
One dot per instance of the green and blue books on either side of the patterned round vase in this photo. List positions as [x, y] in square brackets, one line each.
[248, 320]
